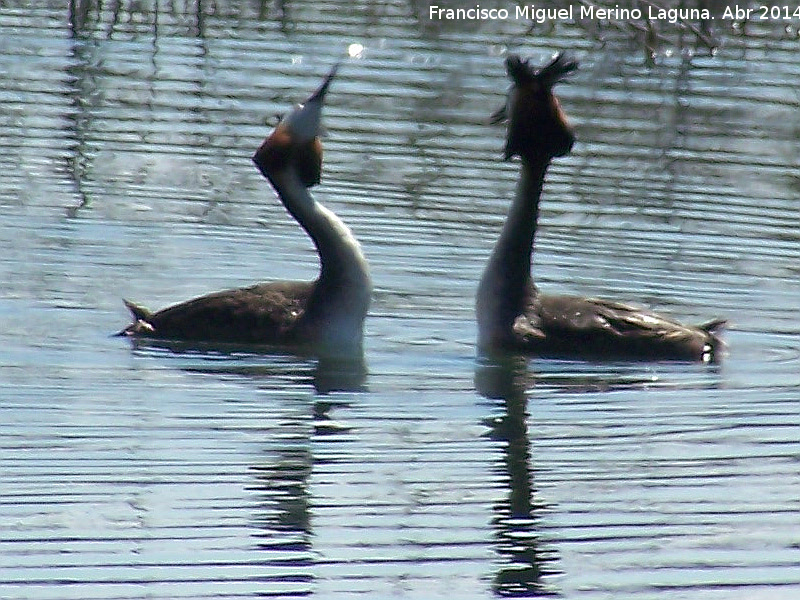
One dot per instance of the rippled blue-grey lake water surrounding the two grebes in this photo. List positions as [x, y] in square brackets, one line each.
[126, 130]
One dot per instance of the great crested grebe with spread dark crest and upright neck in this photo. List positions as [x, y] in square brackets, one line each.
[512, 314]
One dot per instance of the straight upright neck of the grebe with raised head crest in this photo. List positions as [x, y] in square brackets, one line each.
[506, 284]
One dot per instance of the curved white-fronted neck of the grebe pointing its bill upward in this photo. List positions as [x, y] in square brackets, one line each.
[341, 259]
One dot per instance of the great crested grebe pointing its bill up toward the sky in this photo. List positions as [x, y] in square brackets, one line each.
[324, 316]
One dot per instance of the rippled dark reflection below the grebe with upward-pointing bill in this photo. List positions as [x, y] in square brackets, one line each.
[280, 477]
